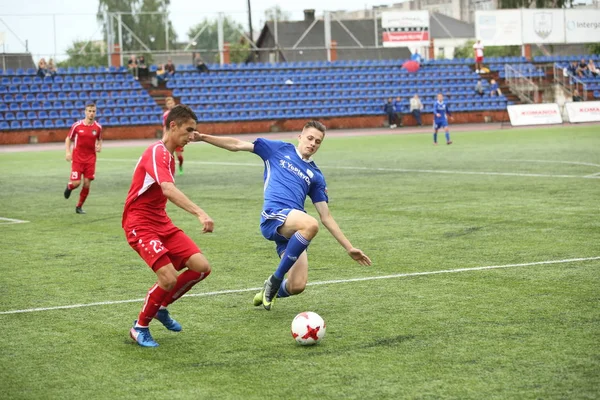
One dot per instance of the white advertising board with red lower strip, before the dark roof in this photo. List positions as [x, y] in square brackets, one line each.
[405, 28]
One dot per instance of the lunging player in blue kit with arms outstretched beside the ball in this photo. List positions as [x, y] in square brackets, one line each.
[290, 176]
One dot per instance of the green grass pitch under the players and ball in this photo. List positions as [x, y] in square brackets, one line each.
[491, 199]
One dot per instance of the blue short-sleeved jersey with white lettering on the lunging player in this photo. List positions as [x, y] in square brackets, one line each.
[288, 178]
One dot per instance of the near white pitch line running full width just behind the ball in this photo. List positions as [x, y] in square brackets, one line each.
[330, 282]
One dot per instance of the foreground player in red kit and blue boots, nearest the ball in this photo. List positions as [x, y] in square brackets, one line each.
[151, 233]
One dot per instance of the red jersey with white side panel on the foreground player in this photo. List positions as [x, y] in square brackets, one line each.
[145, 200]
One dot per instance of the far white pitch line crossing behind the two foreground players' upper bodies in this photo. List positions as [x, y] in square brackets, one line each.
[425, 171]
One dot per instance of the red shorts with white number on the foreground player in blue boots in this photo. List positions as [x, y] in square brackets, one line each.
[151, 244]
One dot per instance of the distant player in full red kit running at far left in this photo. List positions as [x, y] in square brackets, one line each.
[86, 138]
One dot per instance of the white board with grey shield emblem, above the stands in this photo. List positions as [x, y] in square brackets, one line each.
[543, 26]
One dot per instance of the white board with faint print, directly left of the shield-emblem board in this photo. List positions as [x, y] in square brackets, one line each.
[498, 28]
